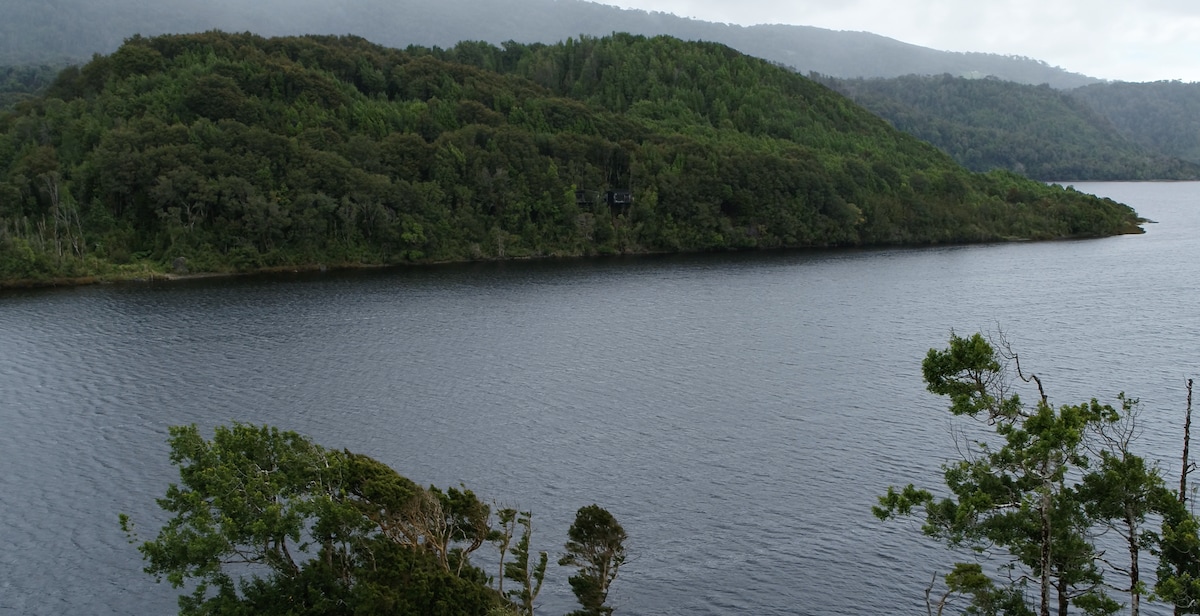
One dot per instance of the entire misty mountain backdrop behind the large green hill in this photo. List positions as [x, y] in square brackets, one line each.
[1123, 133]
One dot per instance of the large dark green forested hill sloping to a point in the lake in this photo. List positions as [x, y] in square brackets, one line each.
[217, 152]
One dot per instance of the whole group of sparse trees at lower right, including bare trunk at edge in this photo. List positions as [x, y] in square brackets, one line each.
[1045, 491]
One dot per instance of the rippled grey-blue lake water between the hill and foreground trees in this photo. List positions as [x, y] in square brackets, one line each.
[737, 414]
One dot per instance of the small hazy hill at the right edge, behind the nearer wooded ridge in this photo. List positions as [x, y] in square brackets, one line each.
[1162, 117]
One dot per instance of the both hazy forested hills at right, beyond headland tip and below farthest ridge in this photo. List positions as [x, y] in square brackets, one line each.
[1109, 131]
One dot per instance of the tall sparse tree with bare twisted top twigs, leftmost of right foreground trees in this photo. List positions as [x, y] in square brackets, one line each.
[1015, 493]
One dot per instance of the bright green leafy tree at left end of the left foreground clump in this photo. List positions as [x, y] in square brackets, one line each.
[245, 499]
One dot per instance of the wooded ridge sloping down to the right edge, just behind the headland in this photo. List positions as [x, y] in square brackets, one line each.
[1036, 131]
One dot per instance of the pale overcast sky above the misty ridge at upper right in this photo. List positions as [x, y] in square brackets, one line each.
[1126, 40]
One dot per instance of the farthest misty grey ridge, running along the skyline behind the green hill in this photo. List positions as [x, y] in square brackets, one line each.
[56, 31]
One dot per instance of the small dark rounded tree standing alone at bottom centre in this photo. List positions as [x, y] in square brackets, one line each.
[597, 547]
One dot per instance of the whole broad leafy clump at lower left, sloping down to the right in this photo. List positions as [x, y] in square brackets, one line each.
[266, 522]
